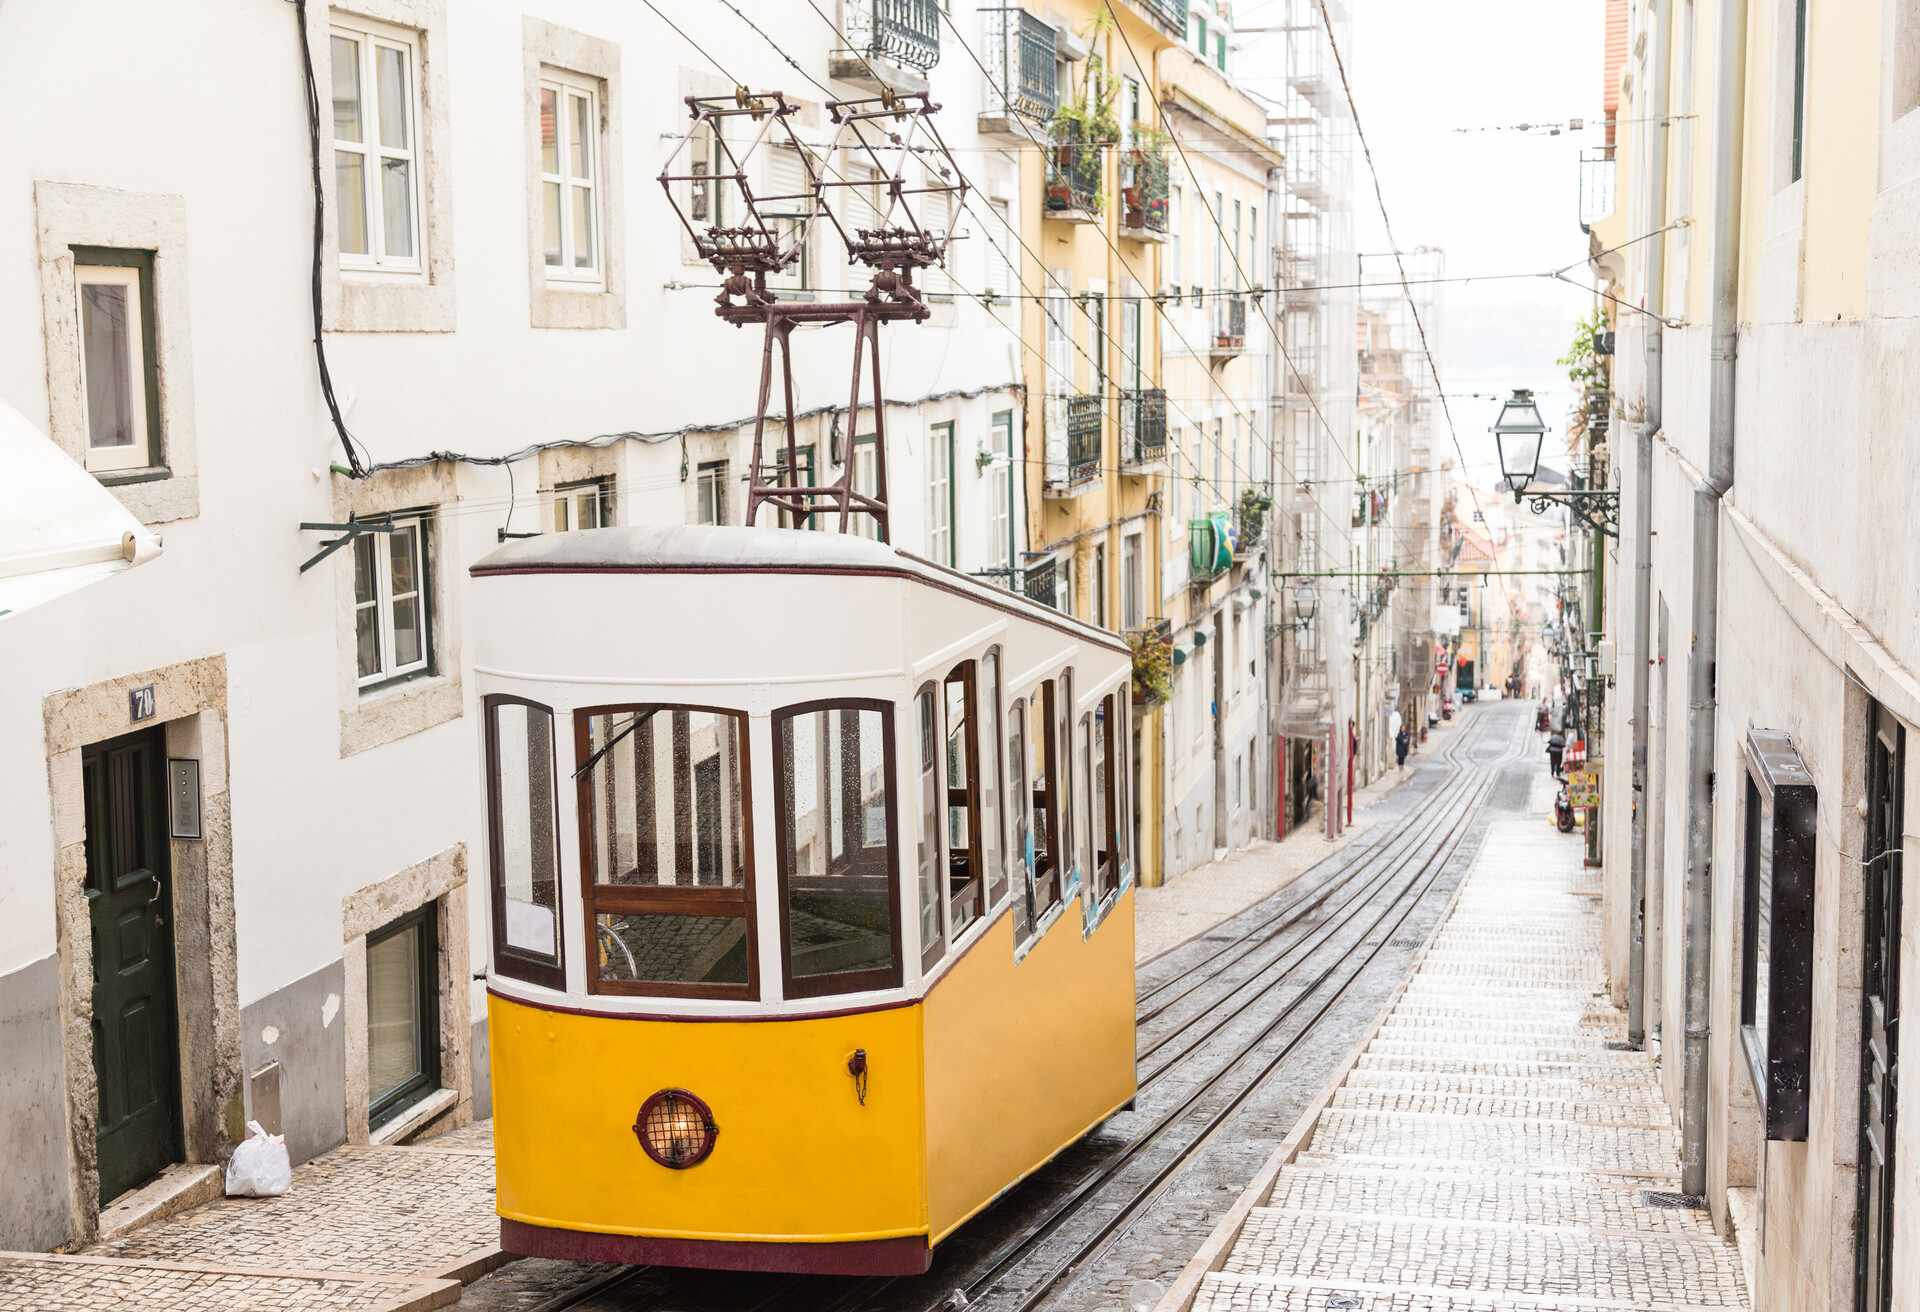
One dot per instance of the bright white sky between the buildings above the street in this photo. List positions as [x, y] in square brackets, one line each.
[1495, 203]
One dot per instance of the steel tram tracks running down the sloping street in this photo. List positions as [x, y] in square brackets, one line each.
[1393, 875]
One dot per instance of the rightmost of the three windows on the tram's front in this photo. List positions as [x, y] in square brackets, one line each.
[840, 908]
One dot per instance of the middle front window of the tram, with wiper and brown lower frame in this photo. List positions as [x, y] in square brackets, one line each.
[663, 838]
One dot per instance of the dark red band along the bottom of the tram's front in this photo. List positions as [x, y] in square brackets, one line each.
[867, 1257]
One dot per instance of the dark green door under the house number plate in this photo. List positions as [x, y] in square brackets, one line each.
[130, 904]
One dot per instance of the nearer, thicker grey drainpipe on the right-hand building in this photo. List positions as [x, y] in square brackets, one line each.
[1723, 347]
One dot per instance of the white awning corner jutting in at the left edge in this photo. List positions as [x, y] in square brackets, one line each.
[59, 527]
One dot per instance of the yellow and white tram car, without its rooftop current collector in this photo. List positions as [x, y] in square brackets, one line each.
[811, 894]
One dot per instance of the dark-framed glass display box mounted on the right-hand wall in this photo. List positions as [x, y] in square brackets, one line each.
[1779, 829]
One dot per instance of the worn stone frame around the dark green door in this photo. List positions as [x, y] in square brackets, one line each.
[191, 706]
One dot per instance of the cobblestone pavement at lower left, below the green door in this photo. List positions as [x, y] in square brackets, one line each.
[377, 1230]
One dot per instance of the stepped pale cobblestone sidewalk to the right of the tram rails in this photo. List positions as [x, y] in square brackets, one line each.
[1491, 1152]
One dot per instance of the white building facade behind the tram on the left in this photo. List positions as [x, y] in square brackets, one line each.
[249, 789]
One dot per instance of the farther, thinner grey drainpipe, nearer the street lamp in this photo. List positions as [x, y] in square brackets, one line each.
[1637, 879]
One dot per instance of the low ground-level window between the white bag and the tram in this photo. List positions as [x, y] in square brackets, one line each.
[402, 1015]
